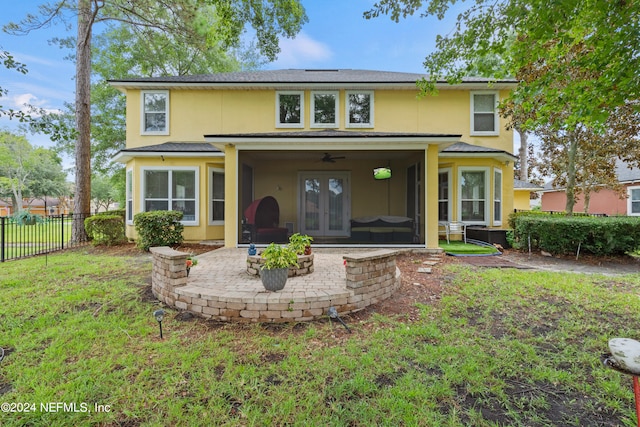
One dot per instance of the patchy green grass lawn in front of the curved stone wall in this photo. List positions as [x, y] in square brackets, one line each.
[492, 348]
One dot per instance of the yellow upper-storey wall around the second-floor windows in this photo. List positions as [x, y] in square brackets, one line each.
[253, 111]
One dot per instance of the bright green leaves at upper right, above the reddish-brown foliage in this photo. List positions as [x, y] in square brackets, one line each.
[523, 32]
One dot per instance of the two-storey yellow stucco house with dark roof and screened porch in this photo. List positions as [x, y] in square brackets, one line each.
[351, 157]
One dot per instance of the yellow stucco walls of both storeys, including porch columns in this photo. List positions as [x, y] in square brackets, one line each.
[194, 113]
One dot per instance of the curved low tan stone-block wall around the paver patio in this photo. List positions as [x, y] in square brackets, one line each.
[370, 278]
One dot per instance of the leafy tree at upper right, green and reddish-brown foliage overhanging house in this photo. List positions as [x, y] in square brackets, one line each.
[576, 63]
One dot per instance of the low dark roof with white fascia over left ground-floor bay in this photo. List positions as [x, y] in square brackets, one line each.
[173, 149]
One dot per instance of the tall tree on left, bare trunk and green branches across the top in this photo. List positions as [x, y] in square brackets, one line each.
[186, 18]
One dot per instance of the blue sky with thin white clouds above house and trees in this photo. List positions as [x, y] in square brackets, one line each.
[336, 36]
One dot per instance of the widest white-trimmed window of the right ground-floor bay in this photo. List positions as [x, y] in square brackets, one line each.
[473, 202]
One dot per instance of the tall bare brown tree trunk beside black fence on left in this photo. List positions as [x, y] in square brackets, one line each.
[82, 197]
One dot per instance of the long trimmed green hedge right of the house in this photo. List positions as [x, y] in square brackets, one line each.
[563, 235]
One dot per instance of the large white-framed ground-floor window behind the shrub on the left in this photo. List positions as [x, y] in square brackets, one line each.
[171, 189]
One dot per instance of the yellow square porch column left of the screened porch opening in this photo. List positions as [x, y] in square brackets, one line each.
[230, 196]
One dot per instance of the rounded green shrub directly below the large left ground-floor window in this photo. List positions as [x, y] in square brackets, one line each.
[158, 228]
